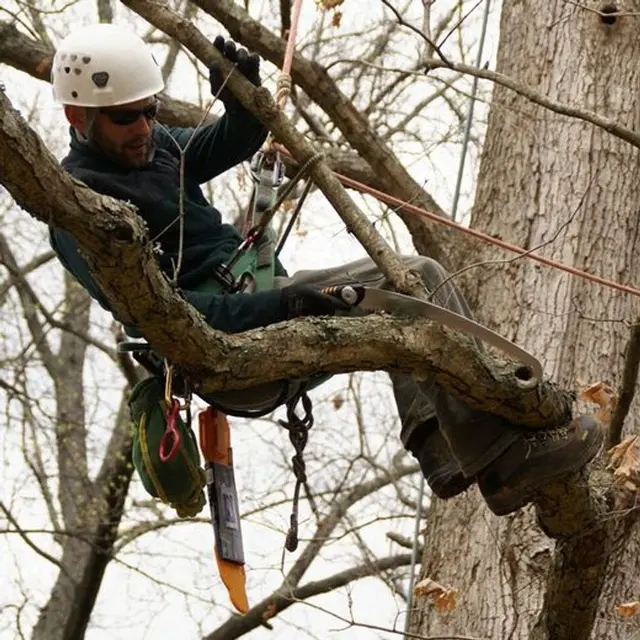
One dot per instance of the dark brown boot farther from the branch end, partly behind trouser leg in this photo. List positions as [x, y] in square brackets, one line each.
[440, 469]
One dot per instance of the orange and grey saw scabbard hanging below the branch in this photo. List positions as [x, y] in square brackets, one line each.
[215, 442]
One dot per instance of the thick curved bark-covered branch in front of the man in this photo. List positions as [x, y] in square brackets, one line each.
[117, 248]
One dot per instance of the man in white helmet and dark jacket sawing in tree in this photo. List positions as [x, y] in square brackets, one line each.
[107, 79]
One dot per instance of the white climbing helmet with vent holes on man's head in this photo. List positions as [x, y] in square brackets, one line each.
[104, 65]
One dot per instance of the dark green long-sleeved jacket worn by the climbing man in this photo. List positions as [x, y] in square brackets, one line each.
[154, 190]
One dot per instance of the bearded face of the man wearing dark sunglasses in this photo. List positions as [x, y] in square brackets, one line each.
[124, 132]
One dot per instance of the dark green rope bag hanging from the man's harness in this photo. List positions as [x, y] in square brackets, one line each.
[180, 481]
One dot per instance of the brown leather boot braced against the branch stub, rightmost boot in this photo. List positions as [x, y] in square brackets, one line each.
[535, 459]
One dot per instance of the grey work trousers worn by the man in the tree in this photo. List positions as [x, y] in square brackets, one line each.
[419, 402]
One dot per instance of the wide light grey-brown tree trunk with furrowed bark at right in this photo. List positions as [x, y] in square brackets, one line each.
[549, 180]
